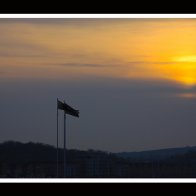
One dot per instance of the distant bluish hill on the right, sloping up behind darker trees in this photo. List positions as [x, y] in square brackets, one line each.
[155, 155]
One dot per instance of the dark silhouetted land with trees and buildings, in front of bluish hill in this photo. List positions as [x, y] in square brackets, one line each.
[36, 160]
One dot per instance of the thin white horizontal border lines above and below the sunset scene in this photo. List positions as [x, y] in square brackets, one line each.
[120, 180]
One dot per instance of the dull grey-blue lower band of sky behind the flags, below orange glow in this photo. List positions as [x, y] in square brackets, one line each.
[115, 115]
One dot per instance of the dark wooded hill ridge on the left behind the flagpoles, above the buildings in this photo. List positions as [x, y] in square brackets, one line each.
[17, 152]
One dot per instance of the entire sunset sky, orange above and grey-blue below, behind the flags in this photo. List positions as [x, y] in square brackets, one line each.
[133, 80]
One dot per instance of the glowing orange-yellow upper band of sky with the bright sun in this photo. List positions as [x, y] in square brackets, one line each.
[158, 49]
